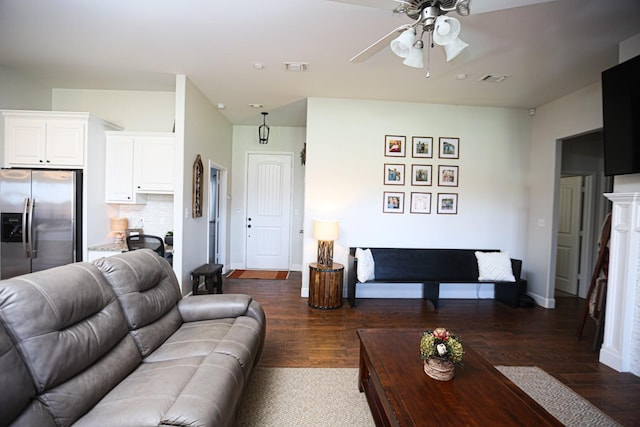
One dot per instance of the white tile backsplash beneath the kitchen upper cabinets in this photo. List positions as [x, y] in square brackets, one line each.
[155, 217]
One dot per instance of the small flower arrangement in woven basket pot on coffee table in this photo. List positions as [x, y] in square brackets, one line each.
[440, 351]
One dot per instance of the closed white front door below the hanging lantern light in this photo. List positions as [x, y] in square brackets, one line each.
[268, 221]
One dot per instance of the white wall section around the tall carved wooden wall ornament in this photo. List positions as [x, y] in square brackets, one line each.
[202, 130]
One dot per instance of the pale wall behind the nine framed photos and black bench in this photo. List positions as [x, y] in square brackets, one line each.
[344, 178]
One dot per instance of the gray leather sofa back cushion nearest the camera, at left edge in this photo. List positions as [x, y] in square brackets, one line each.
[71, 334]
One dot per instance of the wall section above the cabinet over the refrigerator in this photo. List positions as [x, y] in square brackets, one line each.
[20, 93]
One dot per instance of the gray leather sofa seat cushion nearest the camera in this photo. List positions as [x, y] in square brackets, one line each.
[201, 391]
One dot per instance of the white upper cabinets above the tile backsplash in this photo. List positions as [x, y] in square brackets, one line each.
[139, 163]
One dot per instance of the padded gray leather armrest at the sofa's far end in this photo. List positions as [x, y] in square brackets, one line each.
[219, 306]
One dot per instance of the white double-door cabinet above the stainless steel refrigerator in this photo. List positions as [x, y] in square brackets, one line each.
[44, 139]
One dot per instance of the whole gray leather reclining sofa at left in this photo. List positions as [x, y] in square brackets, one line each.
[113, 343]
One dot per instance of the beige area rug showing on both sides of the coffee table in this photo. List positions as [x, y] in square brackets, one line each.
[323, 397]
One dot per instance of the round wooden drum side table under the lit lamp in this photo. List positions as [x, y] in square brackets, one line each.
[325, 285]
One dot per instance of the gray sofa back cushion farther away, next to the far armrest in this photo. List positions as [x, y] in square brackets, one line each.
[148, 292]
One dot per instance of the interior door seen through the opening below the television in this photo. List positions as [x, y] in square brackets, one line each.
[568, 248]
